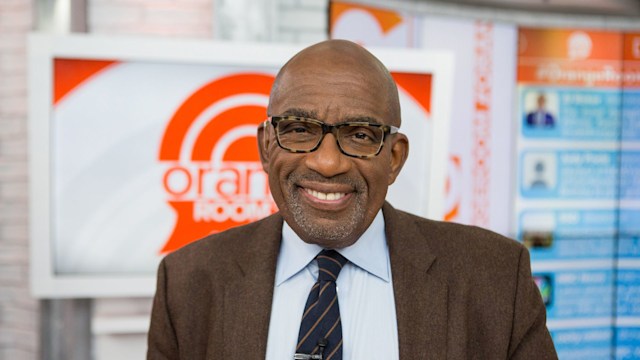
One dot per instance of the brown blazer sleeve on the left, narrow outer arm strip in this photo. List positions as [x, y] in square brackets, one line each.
[162, 342]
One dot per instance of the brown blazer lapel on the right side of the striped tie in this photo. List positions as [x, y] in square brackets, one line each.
[420, 295]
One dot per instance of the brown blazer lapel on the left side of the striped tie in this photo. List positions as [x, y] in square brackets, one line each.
[247, 298]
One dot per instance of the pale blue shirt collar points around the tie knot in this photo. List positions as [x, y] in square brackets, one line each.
[369, 253]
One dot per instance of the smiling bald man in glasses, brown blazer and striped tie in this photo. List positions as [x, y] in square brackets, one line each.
[411, 288]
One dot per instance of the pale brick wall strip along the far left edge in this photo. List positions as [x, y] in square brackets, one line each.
[18, 310]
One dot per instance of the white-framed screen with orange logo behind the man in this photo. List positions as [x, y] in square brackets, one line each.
[140, 146]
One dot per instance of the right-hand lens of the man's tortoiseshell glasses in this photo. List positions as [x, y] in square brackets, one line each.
[360, 140]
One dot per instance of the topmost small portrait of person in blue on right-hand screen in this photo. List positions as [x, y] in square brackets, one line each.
[541, 109]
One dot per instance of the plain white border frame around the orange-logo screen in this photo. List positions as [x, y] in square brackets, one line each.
[44, 48]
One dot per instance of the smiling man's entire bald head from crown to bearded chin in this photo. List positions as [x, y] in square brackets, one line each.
[327, 196]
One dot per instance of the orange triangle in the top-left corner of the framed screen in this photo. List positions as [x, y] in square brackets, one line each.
[70, 73]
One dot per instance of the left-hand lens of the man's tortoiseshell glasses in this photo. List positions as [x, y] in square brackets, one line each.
[298, 135]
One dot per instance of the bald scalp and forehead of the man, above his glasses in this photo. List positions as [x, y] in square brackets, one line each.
[334, 64]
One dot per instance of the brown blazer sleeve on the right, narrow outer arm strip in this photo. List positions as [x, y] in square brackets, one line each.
[530, 338]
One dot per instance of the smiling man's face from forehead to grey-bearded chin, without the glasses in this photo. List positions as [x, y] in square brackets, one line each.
[329, 198]
